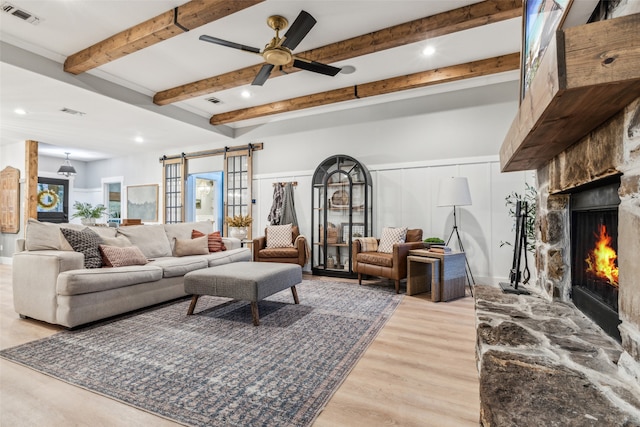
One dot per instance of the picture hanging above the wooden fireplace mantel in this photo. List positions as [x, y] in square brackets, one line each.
[540, 20]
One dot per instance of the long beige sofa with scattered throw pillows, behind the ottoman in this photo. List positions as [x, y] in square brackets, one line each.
[51, 284]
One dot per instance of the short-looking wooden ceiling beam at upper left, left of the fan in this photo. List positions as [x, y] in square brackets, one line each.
[162, 27]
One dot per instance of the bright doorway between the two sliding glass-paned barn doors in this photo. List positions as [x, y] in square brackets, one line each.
[204, 198]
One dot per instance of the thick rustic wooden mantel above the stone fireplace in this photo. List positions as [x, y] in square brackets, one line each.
[587, 74]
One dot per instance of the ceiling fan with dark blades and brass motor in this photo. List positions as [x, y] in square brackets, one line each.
[278, 51]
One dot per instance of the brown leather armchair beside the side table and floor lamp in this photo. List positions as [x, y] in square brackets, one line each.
[392, 266]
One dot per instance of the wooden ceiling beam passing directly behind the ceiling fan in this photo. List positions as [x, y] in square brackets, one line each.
[464, 18]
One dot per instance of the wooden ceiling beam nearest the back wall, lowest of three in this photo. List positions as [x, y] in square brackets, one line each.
[453, 73]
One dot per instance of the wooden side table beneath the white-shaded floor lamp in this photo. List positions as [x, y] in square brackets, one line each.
[453, 276]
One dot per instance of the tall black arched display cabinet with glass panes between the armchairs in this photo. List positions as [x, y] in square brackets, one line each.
[342, 211]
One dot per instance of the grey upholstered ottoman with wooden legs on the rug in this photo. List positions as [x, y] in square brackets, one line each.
[246, 281]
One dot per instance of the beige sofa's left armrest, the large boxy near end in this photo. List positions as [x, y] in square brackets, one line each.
[35, 274]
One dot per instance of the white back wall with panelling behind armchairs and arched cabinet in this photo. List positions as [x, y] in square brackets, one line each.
[407, 145]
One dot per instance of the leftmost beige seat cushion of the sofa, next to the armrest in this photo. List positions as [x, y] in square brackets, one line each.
[77, 282]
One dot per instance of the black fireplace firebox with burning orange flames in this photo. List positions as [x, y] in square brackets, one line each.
[594, 246]
